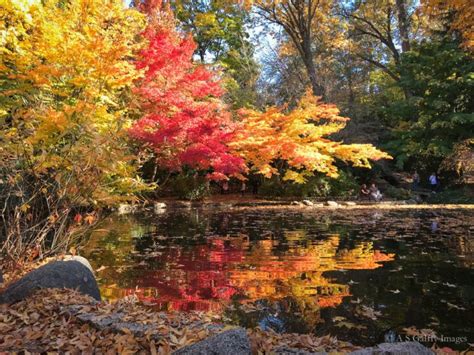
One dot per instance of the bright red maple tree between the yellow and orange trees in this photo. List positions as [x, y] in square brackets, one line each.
[185, 121]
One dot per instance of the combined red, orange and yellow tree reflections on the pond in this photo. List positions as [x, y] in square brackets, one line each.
[208, 274]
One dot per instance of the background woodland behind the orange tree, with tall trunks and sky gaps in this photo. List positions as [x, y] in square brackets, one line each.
[400, 69]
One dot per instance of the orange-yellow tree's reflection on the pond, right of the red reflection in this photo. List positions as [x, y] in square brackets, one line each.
[299, 271]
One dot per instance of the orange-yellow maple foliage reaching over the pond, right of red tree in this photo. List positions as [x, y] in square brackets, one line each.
[299, 139]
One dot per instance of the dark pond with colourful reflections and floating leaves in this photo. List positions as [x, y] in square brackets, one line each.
[357, 274]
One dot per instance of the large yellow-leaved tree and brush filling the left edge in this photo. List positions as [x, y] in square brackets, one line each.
[65, 80]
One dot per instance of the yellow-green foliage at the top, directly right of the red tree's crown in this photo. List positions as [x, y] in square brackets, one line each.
[218, 28]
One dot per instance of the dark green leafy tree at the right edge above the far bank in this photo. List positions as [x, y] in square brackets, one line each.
[439, 77]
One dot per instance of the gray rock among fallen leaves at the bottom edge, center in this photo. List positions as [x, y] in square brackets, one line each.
[234, 341]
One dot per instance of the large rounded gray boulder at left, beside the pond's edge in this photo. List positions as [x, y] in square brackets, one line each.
[75, 273]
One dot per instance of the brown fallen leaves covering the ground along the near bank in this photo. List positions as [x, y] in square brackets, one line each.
[52, 320]
